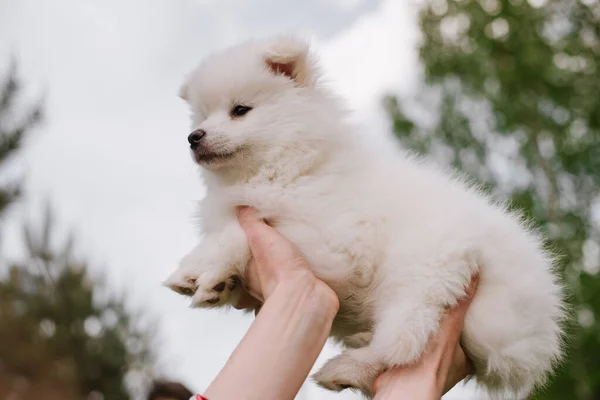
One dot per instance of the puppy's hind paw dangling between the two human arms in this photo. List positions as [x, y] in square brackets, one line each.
[349, 370]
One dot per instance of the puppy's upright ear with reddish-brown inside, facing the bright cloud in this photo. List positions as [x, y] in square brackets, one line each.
[290, 56]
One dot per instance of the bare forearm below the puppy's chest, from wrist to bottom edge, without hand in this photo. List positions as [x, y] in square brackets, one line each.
[277, 353]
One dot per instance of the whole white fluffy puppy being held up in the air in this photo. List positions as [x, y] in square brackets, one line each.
[396, 237]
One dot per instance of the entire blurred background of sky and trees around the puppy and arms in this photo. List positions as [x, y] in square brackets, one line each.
[97, 190]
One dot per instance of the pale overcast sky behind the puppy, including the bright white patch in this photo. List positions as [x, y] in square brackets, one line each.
[112, 155]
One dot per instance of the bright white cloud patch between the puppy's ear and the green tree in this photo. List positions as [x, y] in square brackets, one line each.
[374, 56]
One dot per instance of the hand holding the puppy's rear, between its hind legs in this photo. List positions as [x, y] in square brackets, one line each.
[442, 366]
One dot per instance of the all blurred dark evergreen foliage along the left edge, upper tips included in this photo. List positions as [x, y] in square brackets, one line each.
[63, 334]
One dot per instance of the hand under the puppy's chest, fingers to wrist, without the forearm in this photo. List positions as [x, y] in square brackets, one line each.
[274, 260]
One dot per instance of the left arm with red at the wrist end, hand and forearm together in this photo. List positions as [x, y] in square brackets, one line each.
[294, 323]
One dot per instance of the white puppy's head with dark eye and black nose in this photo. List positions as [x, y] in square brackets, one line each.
[250, 101]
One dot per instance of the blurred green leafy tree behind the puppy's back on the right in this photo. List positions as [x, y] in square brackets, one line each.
[517, 84]
